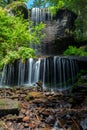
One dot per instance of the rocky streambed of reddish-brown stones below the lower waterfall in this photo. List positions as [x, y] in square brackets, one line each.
[29, 109]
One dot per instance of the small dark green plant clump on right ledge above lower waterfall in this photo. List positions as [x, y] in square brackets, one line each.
[72, 50]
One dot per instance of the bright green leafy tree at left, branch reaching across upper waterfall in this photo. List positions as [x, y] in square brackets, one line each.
[15, 32]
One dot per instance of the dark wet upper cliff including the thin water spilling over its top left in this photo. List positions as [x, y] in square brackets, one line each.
[58, 30]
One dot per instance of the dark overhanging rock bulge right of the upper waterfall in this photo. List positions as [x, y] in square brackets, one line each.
[60, 26]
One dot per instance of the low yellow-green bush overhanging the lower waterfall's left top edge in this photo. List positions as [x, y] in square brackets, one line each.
[23, 53]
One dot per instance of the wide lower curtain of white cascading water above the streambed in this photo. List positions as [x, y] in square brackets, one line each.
[57, 73]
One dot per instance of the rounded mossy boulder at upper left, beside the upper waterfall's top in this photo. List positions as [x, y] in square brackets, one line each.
[18, 8]
